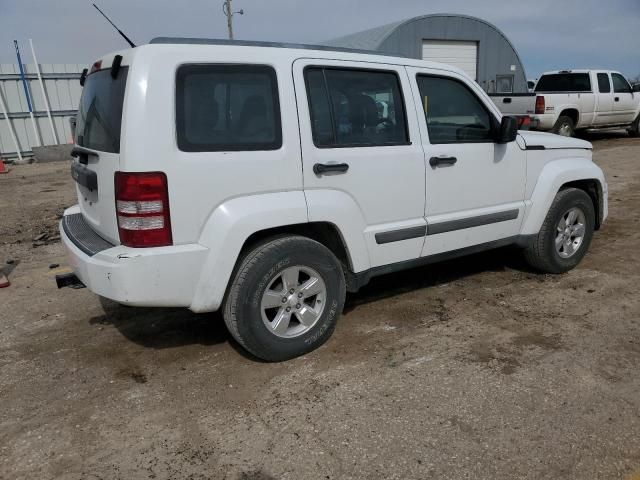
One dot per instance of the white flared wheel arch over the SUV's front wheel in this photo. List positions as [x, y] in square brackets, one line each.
[553, 176]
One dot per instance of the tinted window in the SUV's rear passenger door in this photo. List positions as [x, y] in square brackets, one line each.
[355, 108]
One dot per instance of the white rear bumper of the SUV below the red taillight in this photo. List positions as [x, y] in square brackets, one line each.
[149, 277]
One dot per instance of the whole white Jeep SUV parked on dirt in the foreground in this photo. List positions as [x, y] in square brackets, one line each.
[267, 180]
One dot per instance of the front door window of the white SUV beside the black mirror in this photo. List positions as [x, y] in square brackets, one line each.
[454, 114]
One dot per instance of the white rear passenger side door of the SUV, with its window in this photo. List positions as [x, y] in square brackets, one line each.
[362, 155]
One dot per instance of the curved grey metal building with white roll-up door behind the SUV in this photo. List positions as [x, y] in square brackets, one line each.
[470, 43]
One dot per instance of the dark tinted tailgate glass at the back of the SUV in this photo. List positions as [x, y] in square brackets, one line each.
[99, 117]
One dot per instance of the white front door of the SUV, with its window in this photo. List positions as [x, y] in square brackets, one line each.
[475, 187]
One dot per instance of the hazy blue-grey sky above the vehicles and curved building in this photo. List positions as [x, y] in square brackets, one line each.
[548, 34]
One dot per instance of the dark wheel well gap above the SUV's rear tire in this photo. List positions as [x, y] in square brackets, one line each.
[323, 232]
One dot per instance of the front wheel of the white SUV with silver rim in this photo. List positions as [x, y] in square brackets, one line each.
[565, 234]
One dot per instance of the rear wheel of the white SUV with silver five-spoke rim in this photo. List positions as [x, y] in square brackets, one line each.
[285, 299]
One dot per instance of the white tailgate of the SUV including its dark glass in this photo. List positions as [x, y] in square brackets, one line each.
[98, 132]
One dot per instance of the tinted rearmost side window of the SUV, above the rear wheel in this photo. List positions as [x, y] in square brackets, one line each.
[227, 108]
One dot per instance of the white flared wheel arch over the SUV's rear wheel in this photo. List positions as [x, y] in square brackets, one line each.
[237, 224]
